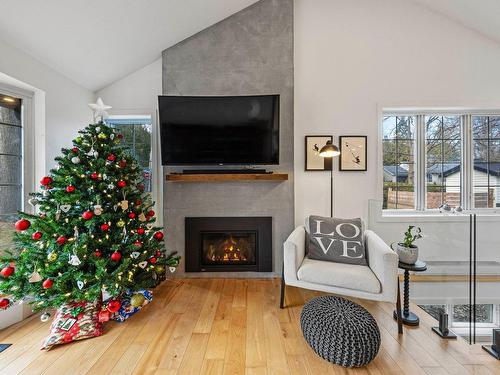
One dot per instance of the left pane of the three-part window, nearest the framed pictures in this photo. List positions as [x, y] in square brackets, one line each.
[398, 160]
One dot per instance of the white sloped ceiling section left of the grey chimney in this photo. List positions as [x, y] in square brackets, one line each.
[95, 42]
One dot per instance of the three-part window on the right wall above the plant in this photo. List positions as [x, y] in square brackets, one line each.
[434, 158]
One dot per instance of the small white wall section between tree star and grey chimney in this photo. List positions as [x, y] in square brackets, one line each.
[138, 90]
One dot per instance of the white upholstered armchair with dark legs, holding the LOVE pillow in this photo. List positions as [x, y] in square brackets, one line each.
[376, 282]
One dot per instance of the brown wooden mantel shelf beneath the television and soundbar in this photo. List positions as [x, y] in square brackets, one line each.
[227, 177]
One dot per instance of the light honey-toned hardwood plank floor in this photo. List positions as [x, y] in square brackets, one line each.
[231, 326]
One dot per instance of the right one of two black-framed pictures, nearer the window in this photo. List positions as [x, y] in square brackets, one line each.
[347, 159]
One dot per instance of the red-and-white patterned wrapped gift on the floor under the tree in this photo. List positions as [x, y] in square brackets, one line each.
[74, 321]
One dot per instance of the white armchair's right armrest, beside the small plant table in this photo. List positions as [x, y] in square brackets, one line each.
[383, 261]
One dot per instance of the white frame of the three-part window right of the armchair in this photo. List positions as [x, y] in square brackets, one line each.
[467, 158]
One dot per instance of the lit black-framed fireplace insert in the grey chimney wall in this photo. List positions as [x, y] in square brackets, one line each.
[228, 244]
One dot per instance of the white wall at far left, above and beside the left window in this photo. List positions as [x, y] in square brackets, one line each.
[66, 102]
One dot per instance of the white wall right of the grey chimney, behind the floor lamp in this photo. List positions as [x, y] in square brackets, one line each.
[353, 57]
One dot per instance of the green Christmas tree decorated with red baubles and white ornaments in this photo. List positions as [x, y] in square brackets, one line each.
[93, 231]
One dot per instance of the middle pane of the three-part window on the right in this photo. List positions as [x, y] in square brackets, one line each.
[443, 153]
